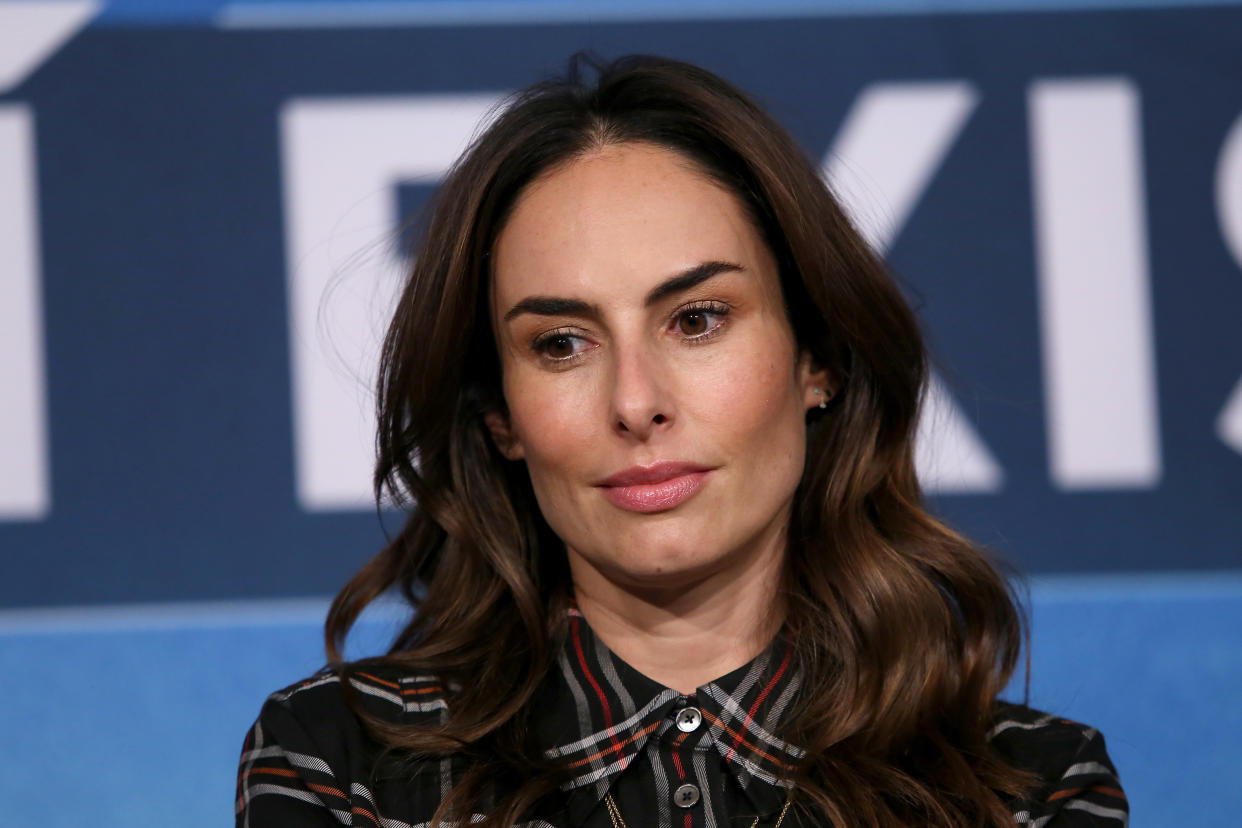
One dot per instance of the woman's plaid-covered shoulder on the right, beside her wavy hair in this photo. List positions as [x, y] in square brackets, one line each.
[1077, 781]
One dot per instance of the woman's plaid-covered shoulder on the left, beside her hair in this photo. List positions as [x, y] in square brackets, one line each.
[310, 758]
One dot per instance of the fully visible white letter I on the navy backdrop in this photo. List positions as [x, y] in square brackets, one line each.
[1091, 235]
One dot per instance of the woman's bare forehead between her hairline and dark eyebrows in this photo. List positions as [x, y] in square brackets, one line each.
[618, 222]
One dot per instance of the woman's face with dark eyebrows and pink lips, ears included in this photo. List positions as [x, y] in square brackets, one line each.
[654, 385]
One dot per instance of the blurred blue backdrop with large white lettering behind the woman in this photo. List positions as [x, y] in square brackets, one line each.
[201, 212]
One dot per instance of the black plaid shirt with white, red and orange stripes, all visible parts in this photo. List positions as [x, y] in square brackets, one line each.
[709, 760]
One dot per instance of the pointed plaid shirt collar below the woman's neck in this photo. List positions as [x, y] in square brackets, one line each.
[602, 712]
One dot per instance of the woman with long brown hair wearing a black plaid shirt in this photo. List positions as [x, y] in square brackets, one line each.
[655, 403]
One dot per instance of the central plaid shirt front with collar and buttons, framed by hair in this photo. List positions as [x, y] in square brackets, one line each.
[668, 760]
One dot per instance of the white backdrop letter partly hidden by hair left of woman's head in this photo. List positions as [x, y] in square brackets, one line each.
[343, 160]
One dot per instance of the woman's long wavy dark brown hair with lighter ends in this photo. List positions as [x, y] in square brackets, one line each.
[905, 632]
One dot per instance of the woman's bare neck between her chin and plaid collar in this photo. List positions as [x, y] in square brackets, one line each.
[686, 636]
